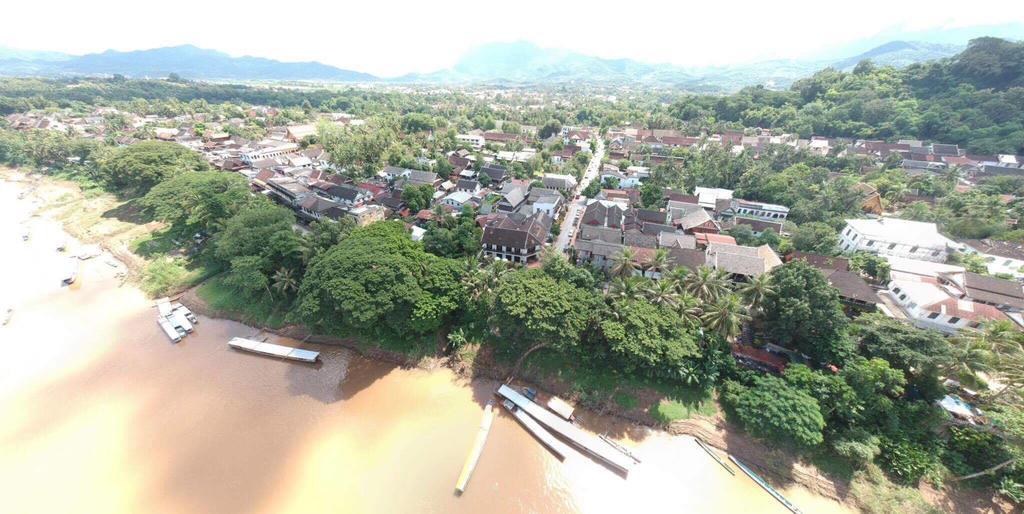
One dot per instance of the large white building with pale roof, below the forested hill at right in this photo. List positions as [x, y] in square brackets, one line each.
[899, 238]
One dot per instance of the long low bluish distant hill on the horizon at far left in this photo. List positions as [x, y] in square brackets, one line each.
[187, 61]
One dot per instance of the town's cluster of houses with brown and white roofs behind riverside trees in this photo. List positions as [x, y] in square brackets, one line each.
[518, 216]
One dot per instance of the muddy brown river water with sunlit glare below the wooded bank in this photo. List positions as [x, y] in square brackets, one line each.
[100, 413]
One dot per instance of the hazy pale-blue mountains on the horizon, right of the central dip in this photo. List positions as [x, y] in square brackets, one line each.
[526, 63]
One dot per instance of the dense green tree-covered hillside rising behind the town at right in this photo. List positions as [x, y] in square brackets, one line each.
[975, 100]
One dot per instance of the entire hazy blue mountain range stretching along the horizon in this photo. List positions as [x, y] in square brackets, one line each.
[515, 63]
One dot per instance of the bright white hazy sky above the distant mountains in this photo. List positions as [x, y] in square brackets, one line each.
[388, 37]
